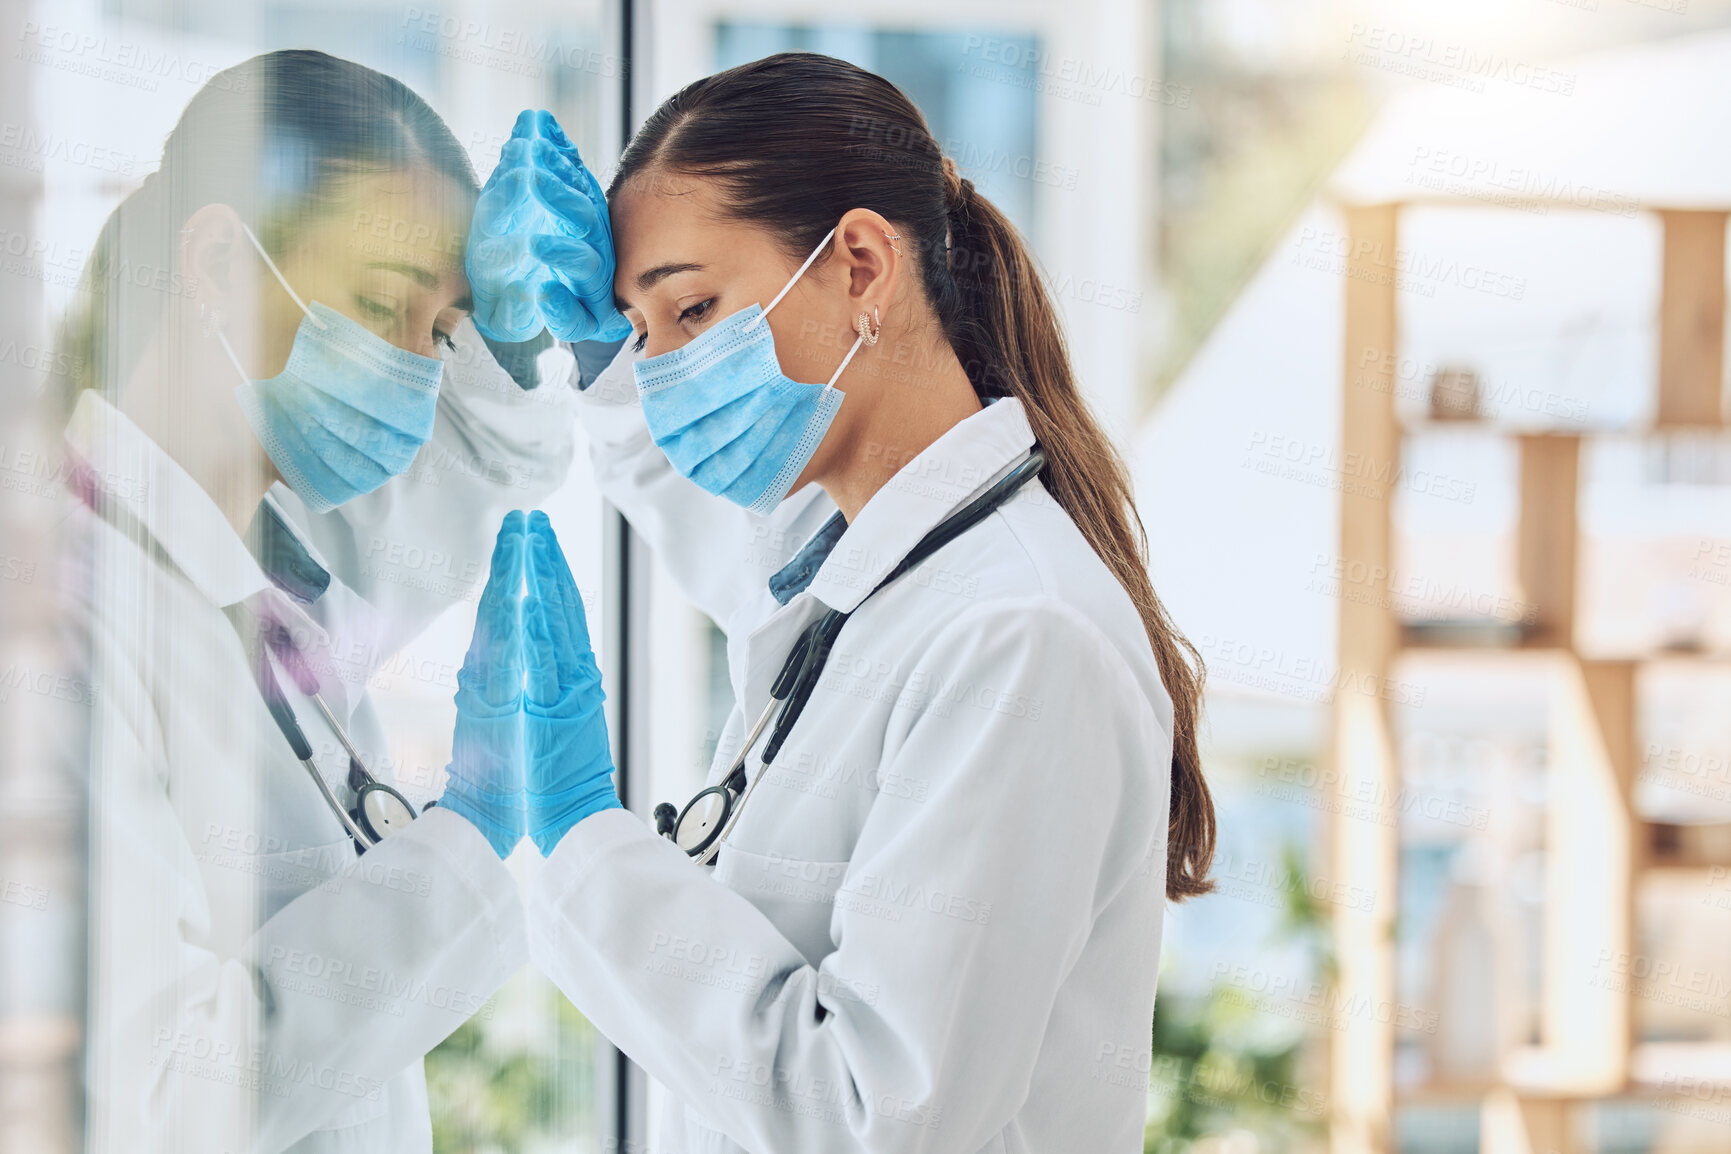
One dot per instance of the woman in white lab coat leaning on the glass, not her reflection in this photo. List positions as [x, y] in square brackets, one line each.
[936, 926]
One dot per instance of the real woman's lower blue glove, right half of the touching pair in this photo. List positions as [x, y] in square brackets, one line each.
[565, 733]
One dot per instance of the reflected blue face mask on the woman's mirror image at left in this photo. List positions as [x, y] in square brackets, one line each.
[347, 414]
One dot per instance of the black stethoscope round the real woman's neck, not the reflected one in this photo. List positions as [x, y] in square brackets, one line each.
[700, 828]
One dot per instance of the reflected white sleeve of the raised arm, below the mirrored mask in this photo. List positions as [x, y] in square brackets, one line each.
[420, 544]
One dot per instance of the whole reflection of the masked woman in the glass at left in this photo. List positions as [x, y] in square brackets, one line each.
[252, 985]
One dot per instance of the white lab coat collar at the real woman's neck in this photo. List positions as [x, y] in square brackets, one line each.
[936, 484]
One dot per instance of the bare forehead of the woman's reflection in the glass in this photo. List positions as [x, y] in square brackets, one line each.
[409, 217]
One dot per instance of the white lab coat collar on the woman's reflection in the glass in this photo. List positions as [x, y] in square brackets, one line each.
[132, 471]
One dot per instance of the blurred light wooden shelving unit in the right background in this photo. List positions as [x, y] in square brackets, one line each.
[1597, 849]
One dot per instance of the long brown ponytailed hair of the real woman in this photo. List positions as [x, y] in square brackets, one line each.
[797, 141]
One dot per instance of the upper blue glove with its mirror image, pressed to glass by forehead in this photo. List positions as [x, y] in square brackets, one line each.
[541, 248]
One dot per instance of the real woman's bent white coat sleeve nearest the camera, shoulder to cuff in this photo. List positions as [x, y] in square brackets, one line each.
[960, 916]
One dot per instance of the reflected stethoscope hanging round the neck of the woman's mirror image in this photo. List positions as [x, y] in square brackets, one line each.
[378, 811]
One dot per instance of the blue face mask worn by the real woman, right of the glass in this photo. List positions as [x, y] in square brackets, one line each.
[726, 416]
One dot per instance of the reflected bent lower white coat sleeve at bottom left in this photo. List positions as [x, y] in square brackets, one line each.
[252, 1049]
